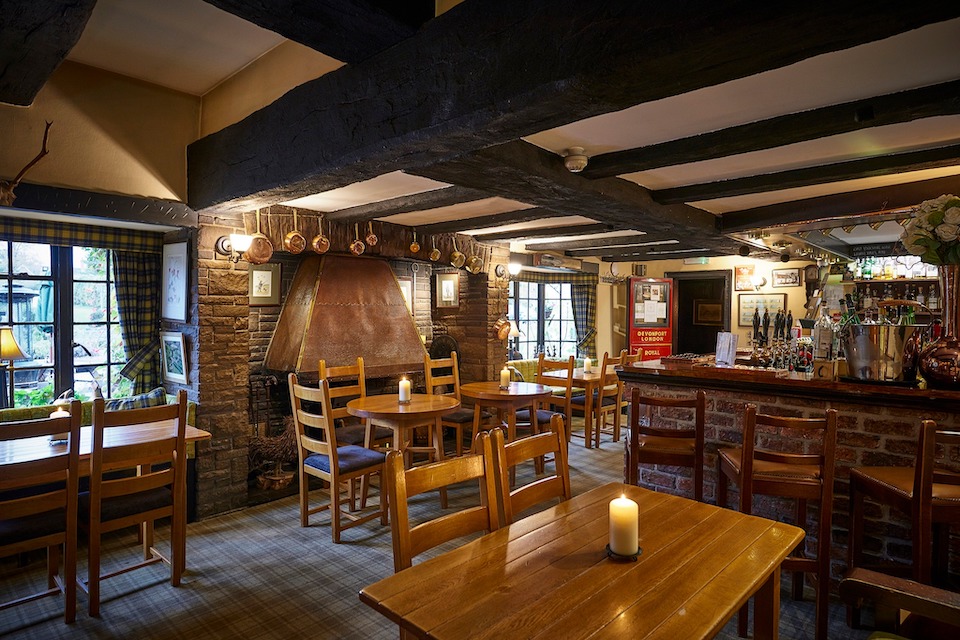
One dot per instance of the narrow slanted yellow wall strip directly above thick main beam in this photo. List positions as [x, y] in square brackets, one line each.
[260, 83]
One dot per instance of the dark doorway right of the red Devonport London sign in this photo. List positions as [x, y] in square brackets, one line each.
[701, 309]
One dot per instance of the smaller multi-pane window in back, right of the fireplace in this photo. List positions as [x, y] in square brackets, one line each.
[544, 315]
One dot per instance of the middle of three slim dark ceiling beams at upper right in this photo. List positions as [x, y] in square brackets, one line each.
[863, 168]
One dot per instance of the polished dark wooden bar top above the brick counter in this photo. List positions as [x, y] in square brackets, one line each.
[788, 384]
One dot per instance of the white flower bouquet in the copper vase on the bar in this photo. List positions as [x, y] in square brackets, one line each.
[934, 232]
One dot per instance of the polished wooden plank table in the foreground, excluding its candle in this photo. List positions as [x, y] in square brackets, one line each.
[547, 575]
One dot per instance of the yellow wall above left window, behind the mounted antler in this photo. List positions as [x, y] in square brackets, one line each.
[110, 134]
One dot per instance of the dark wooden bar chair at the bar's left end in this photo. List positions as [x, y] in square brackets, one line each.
[653, 441]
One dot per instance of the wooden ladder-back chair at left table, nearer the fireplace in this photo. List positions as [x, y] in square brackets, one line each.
[117, 500]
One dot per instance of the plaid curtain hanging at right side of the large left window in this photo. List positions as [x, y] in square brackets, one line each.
[137, 278]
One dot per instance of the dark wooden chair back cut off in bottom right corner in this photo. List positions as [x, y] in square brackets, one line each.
[903, 607]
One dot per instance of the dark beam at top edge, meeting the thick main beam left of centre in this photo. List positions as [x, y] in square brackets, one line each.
[348, 30]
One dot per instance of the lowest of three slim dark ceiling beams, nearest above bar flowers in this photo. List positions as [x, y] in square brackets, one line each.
[838, 206]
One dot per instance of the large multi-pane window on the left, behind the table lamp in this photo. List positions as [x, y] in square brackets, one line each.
[62, 306]
